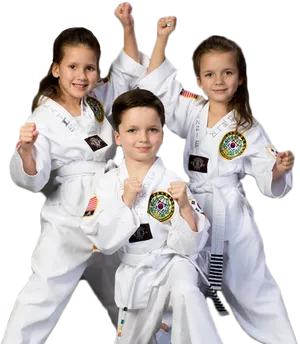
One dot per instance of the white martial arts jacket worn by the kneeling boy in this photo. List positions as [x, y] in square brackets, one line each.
[115, 227]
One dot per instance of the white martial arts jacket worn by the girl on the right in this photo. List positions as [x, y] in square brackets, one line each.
[215, 161]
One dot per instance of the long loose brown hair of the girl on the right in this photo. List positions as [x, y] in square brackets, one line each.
[240, 101]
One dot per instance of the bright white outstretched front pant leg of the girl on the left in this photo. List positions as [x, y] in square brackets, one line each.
[57, 264]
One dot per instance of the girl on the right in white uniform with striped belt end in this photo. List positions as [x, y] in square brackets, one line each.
[223, 143]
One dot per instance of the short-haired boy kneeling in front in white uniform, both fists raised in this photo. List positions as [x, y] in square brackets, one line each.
[147, 214]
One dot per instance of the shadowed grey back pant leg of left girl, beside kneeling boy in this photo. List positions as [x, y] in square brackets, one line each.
[100, 275]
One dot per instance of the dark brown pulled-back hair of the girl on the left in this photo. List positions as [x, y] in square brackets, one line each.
[72, 36]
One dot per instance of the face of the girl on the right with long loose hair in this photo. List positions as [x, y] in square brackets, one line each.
[219, 76]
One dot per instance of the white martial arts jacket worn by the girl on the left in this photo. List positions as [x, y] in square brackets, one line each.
[63, 143]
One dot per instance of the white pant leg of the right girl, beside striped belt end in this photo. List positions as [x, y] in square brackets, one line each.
[251, 291]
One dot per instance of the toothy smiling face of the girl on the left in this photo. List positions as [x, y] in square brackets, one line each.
[77, 72]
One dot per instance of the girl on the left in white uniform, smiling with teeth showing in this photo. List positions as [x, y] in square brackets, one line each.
[69, 132]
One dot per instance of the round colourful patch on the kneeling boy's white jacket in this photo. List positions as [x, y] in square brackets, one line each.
[161, 206]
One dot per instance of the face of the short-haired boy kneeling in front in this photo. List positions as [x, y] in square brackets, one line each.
[140, 134]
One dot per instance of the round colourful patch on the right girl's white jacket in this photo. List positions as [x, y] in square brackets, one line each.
[232, 145]
